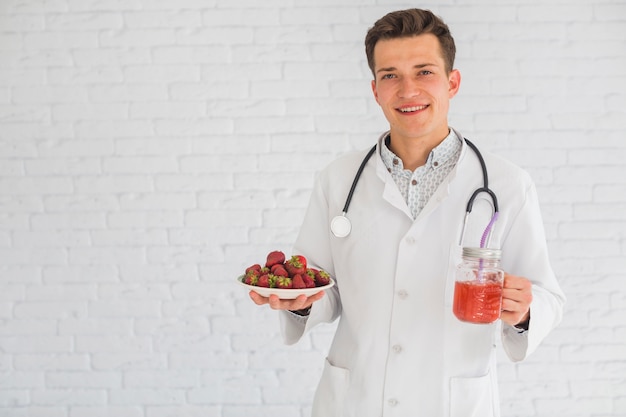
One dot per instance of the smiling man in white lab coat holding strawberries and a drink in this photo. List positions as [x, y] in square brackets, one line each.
[398, 349]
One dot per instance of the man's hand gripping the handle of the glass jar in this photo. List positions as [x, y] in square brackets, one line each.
[516, 297]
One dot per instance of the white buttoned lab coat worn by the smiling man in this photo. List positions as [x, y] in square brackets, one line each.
[398, 350]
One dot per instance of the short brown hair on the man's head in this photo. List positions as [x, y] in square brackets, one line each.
[408, 23]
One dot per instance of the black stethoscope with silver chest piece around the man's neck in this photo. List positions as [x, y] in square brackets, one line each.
[340, 225]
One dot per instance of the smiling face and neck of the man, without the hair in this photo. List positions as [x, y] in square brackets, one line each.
[412, 87]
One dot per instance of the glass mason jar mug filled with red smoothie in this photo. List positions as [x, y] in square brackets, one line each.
[478, 286]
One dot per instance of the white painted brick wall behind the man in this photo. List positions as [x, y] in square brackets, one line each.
[150, 149]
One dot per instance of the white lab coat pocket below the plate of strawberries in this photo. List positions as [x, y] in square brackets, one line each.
[330, 396]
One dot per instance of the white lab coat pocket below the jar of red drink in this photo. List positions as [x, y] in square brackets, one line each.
[472, 397]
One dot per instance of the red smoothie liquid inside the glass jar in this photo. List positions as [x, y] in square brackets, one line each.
[476, 302]
